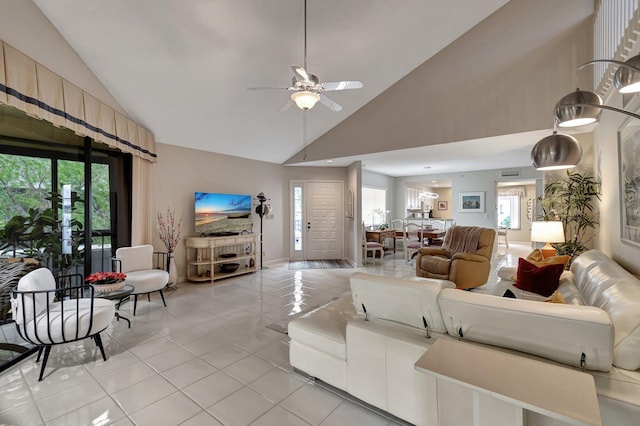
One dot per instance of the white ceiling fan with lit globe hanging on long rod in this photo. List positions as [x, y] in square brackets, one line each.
[307, 88]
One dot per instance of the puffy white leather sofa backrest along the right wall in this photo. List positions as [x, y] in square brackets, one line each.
[606, 285]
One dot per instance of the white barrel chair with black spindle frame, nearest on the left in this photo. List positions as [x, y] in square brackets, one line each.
[48, 315]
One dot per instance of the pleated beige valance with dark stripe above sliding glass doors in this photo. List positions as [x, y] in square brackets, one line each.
[39, 92]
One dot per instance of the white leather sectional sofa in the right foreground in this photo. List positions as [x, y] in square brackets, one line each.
[367, 344]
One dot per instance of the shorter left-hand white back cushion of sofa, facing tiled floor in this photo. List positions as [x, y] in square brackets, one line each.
[407, 301]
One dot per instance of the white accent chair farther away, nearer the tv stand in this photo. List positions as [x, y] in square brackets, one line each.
[137, 263]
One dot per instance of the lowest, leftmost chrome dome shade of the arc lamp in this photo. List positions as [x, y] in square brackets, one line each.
[556, 152]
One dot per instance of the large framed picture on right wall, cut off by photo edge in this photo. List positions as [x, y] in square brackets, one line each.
[629, 174]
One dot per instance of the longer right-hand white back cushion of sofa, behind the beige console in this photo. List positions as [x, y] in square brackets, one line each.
[554, 331]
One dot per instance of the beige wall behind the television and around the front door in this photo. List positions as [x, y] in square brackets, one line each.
[180, 172]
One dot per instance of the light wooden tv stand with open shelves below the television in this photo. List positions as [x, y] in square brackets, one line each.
[205, 255]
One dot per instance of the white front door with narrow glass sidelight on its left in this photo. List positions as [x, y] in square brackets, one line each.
[321, 225]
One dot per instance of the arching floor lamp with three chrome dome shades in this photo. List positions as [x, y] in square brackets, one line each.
[580, 108]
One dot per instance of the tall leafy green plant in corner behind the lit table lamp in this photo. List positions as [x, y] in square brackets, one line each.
[571, 200]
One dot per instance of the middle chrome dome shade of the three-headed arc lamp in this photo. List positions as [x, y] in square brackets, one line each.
[575, 109]
